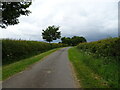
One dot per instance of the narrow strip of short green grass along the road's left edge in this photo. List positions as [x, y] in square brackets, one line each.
[11, 69]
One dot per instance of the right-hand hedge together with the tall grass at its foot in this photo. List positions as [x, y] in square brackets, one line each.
[104, 59]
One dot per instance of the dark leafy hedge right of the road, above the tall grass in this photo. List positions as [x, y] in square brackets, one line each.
[104, 48]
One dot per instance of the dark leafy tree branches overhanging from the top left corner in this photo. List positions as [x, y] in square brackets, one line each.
[11, 11]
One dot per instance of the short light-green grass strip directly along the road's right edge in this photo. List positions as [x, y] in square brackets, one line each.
[87, 77]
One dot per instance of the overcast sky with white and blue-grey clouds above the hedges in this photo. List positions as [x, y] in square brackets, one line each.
[93, 19]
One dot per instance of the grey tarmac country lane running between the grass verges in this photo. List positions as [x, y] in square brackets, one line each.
[54, 71]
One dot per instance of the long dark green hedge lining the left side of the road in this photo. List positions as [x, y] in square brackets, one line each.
[14, 50]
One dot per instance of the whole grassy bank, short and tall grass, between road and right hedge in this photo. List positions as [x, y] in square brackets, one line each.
[94, 72]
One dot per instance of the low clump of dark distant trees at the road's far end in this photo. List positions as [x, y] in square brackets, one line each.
[75, 40]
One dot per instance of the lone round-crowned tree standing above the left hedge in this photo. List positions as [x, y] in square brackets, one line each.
[51, 33]
